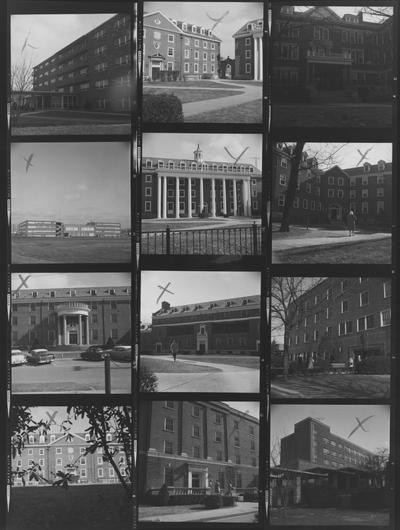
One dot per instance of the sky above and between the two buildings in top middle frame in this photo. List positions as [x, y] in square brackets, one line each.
[197, 13]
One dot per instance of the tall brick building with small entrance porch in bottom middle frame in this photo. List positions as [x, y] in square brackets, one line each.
[193, 444]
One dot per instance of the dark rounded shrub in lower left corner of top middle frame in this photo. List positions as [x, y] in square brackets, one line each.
[162, 108]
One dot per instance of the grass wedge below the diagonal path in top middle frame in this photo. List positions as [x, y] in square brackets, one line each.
[250, 112]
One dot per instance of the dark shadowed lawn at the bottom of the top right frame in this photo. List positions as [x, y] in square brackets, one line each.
[314, 115]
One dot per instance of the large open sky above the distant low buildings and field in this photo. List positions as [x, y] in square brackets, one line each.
[74, 182]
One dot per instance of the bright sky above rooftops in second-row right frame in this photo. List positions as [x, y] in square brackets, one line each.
[346, 155]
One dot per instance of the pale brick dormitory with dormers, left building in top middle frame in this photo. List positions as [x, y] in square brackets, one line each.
[175, 49]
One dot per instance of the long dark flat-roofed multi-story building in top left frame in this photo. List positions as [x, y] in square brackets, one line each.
[93, 72]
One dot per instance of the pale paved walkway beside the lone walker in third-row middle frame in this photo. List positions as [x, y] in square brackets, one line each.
[229, 379]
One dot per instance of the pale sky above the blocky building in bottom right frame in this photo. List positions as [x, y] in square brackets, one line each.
[340, 418]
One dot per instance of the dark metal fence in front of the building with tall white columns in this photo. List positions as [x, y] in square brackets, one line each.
[237, 241]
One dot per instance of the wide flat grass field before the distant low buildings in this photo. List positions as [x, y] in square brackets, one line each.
[70, 250]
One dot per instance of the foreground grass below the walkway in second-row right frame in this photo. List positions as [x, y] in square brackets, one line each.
[375, 252]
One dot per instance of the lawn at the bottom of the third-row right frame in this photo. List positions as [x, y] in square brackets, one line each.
[354, 386]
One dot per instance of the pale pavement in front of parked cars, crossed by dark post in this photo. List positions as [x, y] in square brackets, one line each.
[70, 375]
